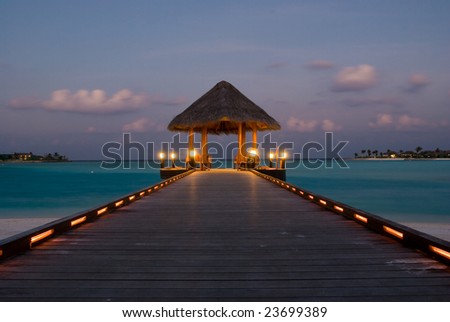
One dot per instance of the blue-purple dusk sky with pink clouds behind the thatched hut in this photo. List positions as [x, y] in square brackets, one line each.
[75, 75]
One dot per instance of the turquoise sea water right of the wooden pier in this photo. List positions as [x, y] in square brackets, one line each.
[403, 191]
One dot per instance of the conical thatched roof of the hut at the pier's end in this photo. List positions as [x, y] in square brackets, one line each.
[221, 110]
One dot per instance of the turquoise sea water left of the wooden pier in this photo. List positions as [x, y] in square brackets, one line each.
[61, 189]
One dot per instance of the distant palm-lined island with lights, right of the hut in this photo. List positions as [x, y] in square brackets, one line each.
[417, 153]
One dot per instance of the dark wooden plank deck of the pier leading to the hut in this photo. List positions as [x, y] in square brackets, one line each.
[223, 236]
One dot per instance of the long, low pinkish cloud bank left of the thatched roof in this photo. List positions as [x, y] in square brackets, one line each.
[93, 102]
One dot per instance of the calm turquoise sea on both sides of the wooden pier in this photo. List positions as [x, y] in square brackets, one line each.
[403, 191]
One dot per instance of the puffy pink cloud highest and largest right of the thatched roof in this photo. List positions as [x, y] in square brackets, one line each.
[355, 78]
